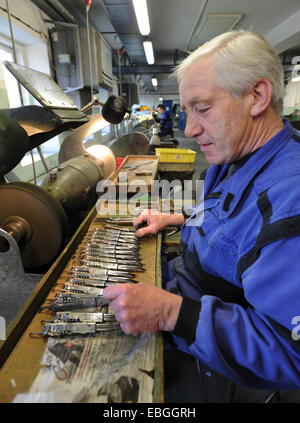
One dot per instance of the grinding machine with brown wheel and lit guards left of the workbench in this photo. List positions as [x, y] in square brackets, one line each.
[35, 220]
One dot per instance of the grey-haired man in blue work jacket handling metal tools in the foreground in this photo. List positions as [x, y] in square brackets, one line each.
[231, 299]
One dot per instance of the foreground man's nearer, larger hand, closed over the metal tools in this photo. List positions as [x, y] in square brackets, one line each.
[143, 308]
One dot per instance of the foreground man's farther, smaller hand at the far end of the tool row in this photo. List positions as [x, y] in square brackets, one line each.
[156, 222]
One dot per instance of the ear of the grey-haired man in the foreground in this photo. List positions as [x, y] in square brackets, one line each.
[261, 96]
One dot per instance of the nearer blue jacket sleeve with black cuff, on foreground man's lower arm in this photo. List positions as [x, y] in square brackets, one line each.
[252, 346]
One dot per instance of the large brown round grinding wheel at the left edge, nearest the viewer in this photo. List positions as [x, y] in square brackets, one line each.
[43, 215]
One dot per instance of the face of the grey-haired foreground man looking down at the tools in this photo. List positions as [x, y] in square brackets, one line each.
[220, 123]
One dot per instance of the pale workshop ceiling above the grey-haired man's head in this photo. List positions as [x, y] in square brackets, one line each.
[179, 26]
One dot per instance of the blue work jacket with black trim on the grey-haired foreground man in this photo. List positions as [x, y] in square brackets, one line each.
[239, 269]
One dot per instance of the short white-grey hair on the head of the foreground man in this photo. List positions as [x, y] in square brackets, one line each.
[241, 59]
